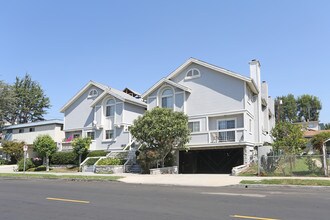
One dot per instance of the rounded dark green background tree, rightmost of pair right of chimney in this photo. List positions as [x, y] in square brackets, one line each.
[308, 108]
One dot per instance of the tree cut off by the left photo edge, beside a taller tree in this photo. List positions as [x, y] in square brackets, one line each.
[7, 101]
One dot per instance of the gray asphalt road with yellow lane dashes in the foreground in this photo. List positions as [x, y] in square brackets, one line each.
[67, 200]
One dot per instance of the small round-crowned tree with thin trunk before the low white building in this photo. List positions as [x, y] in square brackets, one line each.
[45, 146]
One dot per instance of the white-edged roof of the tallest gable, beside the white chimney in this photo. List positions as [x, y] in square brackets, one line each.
[249, 81]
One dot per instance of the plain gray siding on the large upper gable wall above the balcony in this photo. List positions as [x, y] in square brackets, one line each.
[213, 92]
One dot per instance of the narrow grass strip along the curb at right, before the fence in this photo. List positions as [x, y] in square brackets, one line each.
[299, 182]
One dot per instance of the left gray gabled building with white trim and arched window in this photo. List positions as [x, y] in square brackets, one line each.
[102, 113]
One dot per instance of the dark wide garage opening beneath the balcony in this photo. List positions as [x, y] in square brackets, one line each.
[210, 161]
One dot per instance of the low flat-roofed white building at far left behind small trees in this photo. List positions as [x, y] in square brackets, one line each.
[29, 131]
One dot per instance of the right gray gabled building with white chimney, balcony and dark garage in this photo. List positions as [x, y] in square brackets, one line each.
[230, 115]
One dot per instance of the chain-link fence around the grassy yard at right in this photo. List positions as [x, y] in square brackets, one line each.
[292, 165]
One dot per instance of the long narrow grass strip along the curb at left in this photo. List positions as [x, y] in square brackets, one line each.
[64, 177]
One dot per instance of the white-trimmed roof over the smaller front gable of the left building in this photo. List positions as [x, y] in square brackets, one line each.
[119, 95]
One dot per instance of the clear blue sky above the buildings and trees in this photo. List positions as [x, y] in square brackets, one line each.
[64, 44]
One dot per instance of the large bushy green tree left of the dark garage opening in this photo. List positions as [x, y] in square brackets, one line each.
[161, 130]
